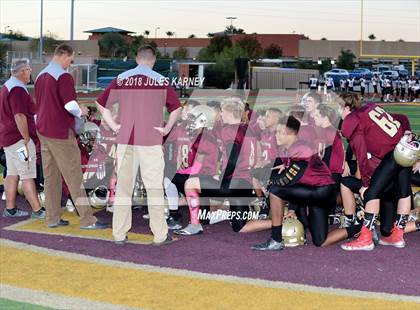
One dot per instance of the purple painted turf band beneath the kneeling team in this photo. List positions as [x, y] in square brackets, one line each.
[220, 251]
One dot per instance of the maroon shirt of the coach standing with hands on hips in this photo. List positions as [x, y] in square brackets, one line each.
[141, 94]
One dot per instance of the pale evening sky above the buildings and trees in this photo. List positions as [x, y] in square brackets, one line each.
[334, 19]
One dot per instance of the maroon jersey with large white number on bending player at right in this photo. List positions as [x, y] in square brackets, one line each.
[372, 130]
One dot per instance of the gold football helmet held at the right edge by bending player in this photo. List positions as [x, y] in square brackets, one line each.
[407, 151]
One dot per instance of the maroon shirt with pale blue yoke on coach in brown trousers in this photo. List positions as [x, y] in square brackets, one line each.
[54, 87]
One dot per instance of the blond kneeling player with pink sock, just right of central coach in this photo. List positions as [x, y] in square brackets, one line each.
[234, 181]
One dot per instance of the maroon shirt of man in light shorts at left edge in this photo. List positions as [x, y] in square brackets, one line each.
[15, 99]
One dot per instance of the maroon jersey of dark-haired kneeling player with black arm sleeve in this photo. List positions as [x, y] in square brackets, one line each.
[316, 173]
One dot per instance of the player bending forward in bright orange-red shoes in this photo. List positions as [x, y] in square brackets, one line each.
[372, 132]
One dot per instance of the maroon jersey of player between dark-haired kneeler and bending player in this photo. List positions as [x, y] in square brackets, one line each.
[331, 148]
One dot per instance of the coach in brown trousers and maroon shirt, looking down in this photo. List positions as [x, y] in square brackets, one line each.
[57, 110]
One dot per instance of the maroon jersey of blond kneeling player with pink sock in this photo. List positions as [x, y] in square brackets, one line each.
[231, 134]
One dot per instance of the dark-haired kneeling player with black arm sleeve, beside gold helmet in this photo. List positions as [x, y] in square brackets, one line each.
[305, 180]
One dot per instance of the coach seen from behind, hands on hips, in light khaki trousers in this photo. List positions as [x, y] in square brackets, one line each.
[141, 94]
